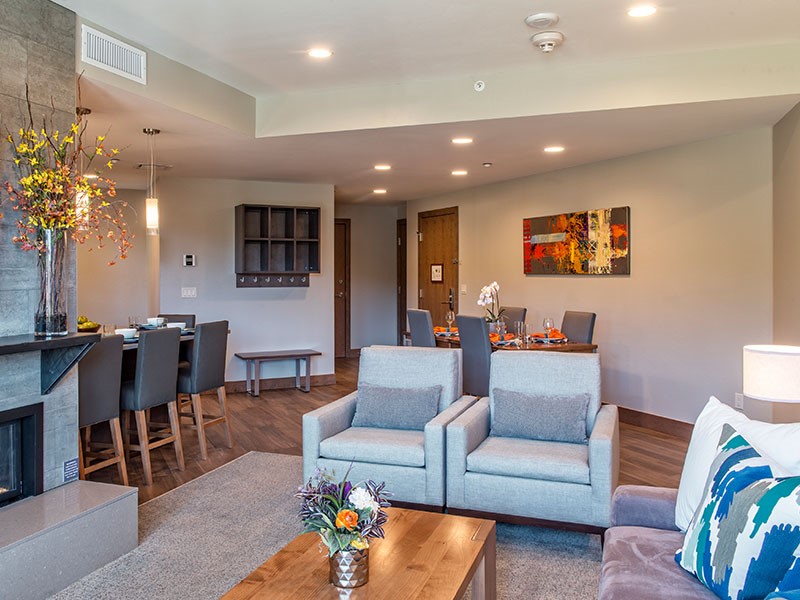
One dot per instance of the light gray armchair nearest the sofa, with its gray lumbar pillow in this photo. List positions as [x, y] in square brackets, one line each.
[492, 470]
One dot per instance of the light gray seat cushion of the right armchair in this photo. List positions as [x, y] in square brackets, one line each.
[531, 459]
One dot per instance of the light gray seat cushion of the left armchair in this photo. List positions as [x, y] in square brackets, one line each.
[379, 446]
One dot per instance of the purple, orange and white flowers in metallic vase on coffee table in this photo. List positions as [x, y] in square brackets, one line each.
[345, 516]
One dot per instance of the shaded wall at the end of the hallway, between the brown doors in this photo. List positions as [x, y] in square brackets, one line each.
[373, 273]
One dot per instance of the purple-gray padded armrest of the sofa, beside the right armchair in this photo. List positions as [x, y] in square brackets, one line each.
[644, 506]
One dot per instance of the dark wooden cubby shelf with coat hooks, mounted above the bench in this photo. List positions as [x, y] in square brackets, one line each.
[276, 246]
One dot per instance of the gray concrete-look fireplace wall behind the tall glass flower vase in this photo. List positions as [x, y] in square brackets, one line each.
[37, 47]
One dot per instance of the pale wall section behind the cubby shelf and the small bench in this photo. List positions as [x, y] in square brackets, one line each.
[197, 217]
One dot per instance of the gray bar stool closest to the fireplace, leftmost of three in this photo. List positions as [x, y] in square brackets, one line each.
[99, 380]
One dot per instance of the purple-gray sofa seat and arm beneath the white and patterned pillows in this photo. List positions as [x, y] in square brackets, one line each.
[639, 550]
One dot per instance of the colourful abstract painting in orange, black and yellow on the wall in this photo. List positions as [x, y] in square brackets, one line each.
[593, 242]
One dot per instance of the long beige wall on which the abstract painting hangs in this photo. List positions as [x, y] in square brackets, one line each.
[672, 332]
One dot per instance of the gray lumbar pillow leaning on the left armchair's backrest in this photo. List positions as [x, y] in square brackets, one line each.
[396, 408]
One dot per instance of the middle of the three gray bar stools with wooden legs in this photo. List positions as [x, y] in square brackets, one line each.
[153, 385]
